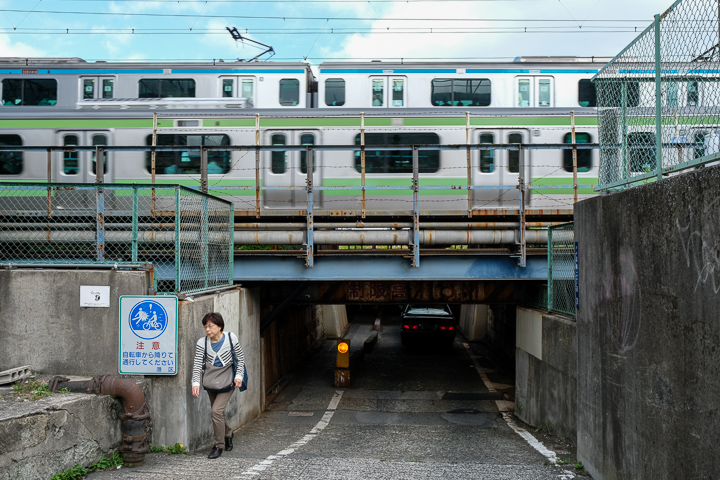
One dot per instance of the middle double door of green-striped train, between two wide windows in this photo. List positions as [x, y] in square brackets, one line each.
[286, 168]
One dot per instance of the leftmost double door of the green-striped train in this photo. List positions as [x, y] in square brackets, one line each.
[81, 166]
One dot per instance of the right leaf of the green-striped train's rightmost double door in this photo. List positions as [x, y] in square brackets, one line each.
[509, 167]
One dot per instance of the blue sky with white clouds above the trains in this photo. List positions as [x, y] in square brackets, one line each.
[321, 30]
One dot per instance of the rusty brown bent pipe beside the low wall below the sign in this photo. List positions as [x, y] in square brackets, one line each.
[134, 439]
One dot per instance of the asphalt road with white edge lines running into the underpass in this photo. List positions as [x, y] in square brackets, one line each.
[409, 415]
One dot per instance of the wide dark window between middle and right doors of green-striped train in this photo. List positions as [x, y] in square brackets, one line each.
[398, 161]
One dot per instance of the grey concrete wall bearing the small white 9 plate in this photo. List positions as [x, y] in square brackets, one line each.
[43, 325]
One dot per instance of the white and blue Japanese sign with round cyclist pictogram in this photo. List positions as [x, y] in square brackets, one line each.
[148, 335]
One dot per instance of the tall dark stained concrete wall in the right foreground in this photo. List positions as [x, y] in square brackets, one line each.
[648, 330]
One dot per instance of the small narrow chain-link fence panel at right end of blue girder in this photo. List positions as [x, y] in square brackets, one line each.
[561, 269]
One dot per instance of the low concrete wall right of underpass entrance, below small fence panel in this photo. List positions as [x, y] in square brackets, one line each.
[546, 372]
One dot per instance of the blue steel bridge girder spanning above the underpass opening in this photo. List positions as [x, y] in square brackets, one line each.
[479, 267]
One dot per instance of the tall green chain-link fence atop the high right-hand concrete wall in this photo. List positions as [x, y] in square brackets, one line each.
[658, 99]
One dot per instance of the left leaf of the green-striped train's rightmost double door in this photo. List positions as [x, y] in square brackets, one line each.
[485, 169]
